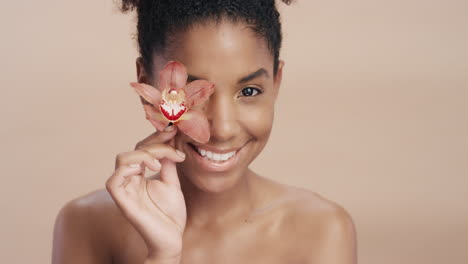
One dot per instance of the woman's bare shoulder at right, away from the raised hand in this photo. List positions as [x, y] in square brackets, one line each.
[318, 229]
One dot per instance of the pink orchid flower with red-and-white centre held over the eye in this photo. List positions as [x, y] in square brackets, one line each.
[174, 100]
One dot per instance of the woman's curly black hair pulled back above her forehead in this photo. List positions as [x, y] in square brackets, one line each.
[159, 19]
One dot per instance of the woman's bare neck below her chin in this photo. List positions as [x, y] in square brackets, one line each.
[212, 208]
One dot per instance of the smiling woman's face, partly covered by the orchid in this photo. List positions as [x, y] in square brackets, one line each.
[240, 110]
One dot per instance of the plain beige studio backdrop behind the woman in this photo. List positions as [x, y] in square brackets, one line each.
[372, 114]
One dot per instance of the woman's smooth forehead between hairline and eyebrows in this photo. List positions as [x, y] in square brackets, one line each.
[221, 51]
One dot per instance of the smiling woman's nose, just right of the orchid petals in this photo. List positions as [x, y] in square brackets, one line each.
[222, 118]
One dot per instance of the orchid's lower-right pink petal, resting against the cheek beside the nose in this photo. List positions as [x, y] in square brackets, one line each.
[195, 125]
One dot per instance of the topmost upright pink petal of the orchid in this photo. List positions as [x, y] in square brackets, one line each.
[172, 76]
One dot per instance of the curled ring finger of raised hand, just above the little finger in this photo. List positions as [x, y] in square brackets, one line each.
[137, 158]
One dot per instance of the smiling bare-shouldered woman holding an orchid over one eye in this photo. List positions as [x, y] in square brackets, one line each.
[205, 205]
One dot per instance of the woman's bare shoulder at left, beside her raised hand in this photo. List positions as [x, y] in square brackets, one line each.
[85, 228]
